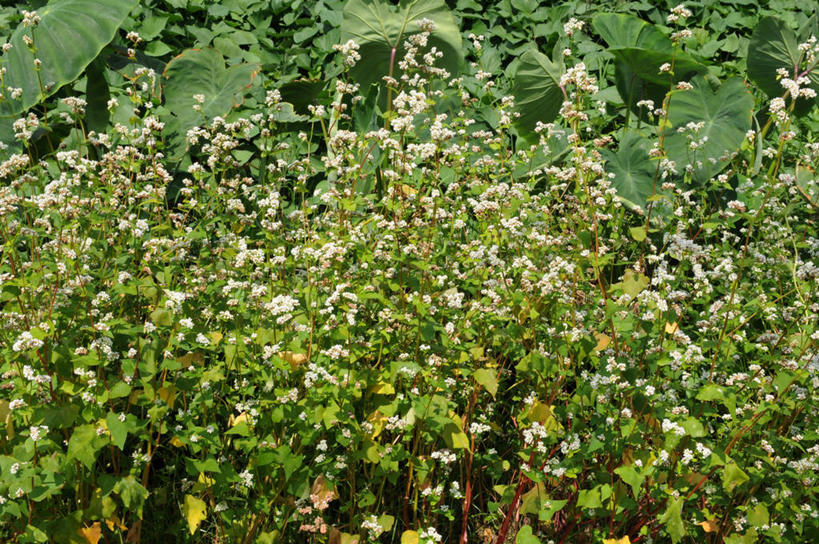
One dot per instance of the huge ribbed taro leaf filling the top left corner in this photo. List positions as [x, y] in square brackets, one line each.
[70, 35]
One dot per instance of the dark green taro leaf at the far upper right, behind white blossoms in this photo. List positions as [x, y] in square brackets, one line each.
[774, 45]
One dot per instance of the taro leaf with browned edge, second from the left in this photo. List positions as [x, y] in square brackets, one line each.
[202, 71]
